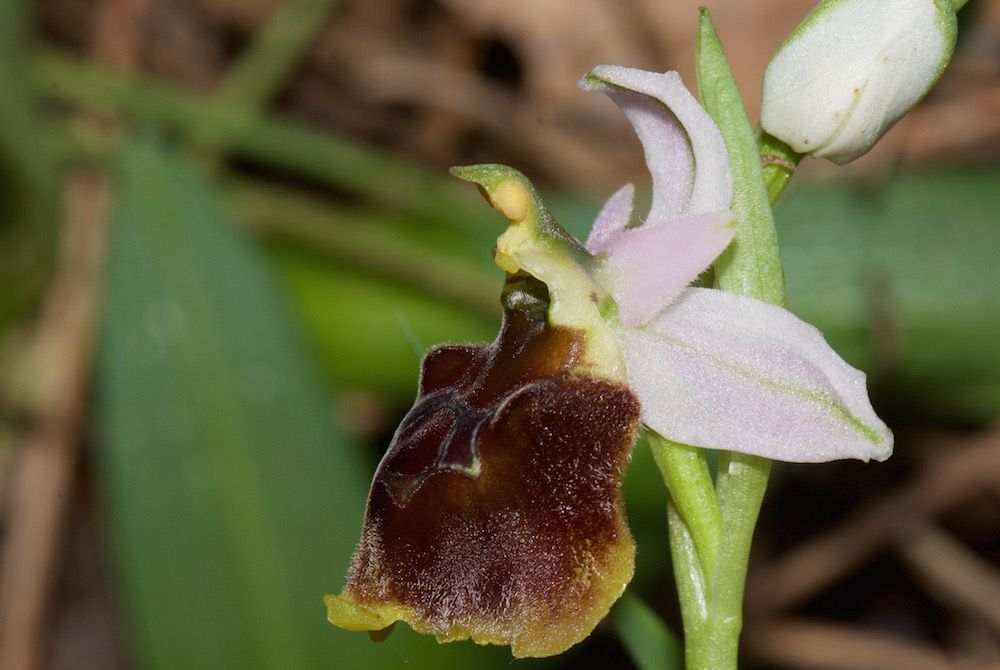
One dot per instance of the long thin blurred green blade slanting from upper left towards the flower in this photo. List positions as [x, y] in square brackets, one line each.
[249, 134]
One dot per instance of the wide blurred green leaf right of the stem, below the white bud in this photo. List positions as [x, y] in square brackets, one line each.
[903, 279]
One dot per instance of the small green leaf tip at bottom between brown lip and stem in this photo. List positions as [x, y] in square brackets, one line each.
[650, 643]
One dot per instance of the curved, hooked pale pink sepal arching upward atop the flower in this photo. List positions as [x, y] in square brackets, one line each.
[655, 103]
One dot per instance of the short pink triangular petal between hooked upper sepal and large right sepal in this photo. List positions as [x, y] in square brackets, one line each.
[648, 267]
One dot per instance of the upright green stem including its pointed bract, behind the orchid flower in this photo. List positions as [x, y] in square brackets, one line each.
[711, 529]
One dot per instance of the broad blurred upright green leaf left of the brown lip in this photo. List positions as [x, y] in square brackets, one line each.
[233, 504]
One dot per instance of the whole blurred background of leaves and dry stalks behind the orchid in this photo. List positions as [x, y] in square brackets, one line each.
[227, 235]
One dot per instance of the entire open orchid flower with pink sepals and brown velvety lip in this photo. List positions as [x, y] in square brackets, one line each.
[496, 514]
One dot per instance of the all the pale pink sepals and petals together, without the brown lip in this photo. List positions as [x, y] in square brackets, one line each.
[714, 369]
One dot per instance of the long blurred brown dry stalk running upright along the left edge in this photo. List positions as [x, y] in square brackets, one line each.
[43, 477]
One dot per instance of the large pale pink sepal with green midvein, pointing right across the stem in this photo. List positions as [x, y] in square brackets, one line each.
[728, 372]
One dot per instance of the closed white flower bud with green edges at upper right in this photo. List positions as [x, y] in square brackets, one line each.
[852, 69]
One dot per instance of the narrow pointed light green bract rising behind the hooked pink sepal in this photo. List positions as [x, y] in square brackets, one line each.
[751, 265]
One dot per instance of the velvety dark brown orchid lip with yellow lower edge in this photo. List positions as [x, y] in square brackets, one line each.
[496, 512]
